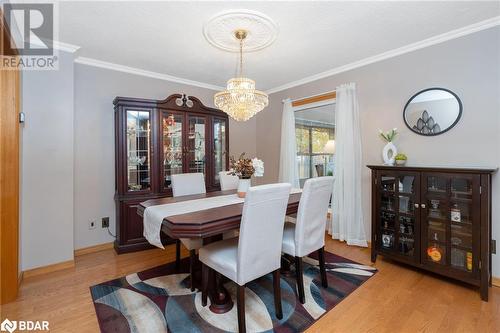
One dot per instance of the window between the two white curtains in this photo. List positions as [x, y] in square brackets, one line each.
[314, 127]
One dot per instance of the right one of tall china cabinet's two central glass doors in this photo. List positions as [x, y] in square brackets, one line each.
[195, 146]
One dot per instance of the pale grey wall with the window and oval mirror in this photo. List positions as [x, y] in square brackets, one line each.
[468, 66]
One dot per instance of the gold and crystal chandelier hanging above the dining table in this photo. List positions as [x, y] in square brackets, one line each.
[240, 100]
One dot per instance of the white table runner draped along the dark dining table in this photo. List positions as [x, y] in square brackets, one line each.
[154, 215]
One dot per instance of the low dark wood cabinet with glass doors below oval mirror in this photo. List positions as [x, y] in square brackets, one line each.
[437, 219]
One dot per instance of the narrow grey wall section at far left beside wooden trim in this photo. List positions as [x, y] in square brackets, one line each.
[47, 165]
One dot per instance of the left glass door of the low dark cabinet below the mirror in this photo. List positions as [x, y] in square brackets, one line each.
[399, 219]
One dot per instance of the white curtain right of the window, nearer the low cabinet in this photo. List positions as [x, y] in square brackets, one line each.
[347, 217]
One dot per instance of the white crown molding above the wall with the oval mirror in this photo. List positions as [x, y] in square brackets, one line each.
[483, 25]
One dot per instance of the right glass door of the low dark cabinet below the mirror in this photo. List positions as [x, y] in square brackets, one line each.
[450, 229]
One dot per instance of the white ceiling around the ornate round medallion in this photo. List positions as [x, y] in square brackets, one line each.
[167, 38]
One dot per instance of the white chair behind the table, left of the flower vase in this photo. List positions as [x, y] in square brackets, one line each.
[188, 184]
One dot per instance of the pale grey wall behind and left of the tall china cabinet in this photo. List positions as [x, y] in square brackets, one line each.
[67, 154]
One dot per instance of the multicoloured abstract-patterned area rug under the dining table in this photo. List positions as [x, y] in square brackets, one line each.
[159, 300]
